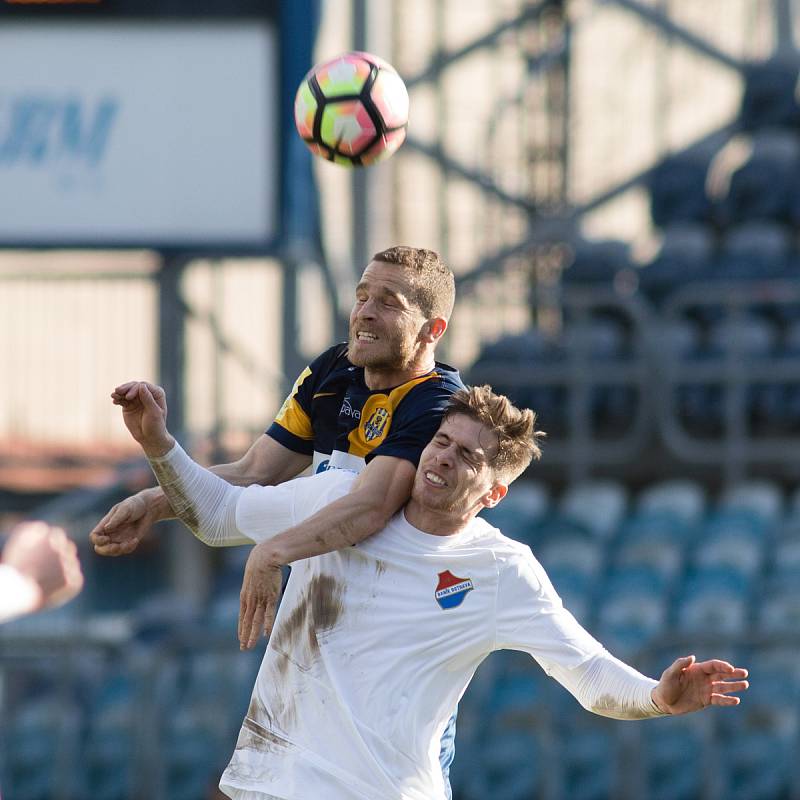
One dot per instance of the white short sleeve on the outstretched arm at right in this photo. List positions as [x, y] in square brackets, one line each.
[532, 618]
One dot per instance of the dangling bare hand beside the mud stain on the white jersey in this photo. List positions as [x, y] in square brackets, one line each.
[261, 588]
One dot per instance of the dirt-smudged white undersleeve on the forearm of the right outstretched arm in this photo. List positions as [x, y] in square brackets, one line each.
[606, 686]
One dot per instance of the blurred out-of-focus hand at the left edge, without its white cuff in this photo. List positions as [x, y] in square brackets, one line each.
[45, 555]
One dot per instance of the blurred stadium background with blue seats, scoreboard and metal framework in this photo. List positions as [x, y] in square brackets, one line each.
[614, 183]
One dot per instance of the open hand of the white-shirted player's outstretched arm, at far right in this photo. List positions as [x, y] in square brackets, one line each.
[688, 685]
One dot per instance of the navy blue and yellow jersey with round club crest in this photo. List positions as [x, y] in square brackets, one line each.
[332, 414]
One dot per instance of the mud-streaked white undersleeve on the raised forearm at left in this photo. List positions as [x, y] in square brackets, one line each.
[204, 502]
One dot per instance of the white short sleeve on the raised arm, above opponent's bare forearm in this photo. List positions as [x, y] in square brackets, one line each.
[265, 511]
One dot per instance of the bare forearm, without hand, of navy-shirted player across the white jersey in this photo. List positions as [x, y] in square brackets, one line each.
[343, 523]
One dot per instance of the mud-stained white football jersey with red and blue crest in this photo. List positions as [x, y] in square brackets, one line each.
[374, 645]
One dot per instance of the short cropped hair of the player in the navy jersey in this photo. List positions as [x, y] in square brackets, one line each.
[433, 281]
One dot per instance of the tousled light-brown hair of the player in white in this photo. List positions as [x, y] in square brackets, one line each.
[515, 428]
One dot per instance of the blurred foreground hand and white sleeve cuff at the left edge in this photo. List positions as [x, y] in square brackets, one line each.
[39, 569]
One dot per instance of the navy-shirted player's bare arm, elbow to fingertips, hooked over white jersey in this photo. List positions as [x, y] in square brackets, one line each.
[380, 491]
